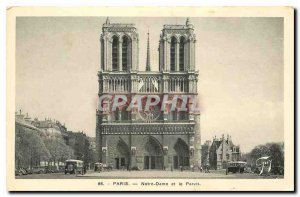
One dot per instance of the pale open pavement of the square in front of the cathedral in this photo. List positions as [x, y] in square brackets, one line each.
[215, 174]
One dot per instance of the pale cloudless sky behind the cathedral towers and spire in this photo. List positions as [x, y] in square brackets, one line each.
[240, 64]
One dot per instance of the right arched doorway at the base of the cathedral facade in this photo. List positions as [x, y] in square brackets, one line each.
[182, 154]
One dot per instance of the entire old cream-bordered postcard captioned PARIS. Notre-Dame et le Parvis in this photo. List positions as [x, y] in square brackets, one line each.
[150, 99]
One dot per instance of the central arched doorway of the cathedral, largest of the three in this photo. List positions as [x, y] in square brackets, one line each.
[153, 154]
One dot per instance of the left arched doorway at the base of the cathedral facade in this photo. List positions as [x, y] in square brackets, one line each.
[122, 155]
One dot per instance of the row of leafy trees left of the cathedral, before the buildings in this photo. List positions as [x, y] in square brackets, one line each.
[35, 146]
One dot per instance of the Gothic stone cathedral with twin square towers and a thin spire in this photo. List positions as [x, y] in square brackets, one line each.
[162, 139]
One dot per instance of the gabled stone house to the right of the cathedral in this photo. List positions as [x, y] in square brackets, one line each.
[220, 151]
